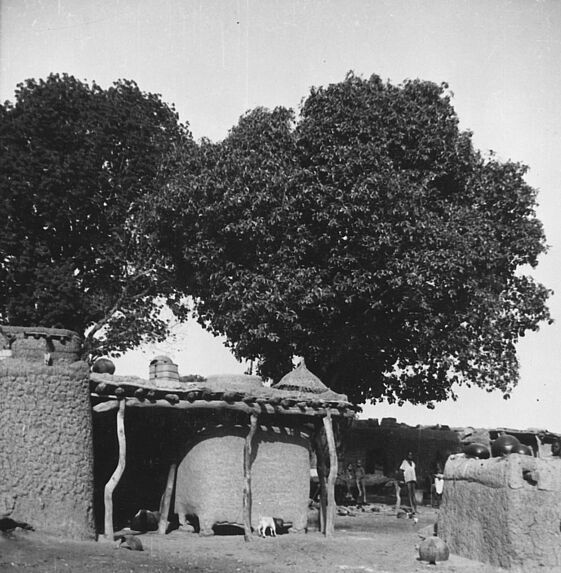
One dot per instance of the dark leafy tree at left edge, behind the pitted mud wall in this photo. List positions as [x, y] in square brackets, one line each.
[78, 166]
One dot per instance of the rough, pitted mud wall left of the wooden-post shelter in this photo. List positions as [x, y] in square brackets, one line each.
[46, 453]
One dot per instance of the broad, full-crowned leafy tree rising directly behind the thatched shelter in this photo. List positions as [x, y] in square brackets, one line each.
[367, 235]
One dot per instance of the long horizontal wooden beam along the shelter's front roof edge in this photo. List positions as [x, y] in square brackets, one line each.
[111, 403]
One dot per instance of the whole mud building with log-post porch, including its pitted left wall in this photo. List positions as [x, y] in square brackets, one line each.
[83, 452]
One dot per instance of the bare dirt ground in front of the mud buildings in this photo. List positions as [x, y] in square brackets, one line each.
[370, 541]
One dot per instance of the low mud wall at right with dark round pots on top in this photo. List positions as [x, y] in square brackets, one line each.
[504, 511]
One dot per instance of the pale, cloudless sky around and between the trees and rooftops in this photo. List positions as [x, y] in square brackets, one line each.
[216, 59]
